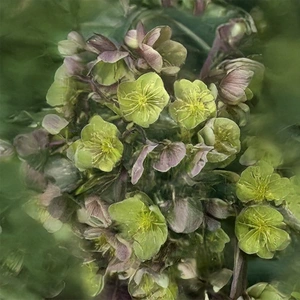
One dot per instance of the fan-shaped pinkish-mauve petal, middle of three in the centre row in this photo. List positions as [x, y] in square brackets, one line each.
[171, 155]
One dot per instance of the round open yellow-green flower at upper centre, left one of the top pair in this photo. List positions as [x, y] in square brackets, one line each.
[143, 100]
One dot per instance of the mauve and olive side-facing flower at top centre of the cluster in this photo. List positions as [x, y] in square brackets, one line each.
[156, 49]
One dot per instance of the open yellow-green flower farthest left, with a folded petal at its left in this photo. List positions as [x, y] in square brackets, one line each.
[99, 146]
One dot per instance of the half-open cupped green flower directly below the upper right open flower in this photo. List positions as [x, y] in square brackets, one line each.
[224, 135]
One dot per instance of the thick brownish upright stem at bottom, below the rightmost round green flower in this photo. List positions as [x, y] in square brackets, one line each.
[239, 281]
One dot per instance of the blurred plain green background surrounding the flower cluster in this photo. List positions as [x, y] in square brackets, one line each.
[29, 33]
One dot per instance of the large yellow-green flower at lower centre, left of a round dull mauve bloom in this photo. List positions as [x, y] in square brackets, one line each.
[143, 224]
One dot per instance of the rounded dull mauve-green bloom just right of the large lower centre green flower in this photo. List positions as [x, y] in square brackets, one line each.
[185, 216]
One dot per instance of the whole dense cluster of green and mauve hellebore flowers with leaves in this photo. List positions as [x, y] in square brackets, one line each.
[149, 164]
